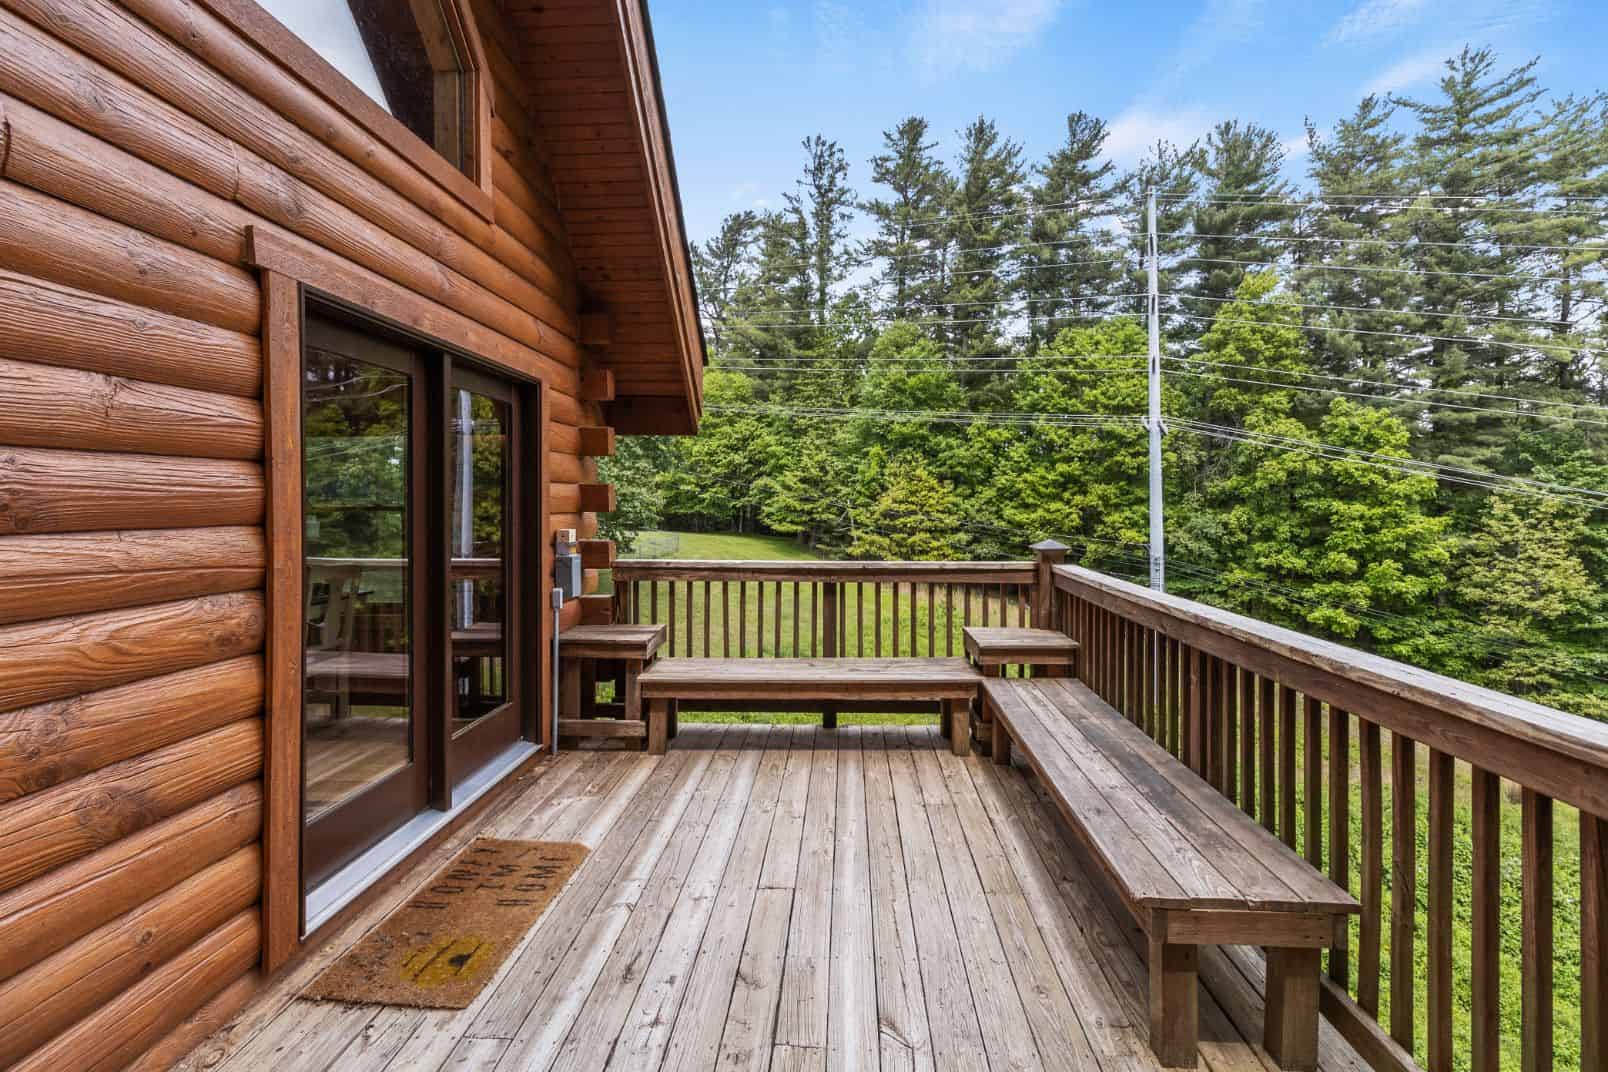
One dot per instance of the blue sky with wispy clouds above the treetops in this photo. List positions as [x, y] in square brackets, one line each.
[747, 81]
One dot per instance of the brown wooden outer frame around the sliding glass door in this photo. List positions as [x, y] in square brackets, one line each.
[290, 276]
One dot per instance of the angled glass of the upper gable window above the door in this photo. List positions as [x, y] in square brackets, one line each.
[408, 55]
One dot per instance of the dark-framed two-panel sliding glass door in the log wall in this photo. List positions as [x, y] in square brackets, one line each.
[414, 584]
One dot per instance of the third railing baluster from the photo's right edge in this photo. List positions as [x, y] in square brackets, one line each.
[1487, 962]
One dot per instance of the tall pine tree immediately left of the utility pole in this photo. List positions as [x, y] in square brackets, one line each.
[1065, 263]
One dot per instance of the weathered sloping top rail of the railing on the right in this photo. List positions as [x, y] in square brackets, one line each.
[1517, 719]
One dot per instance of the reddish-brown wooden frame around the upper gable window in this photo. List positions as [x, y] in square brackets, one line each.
[472, 187]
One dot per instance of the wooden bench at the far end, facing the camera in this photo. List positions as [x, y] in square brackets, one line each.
[826, 684]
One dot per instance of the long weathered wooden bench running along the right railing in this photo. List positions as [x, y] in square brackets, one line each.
[1192, 869]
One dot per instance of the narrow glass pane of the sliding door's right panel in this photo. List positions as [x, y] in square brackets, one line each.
[478, 485]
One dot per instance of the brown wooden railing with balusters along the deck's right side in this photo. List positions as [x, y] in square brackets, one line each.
[1358, 761]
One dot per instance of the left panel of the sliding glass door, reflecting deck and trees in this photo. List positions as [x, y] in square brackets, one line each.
[364, 772]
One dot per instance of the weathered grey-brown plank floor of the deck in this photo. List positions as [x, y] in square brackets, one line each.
[781, 898]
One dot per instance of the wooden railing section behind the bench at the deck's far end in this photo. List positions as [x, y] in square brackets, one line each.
[821, 610]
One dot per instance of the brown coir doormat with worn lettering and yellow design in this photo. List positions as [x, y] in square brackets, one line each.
[443, 946]
